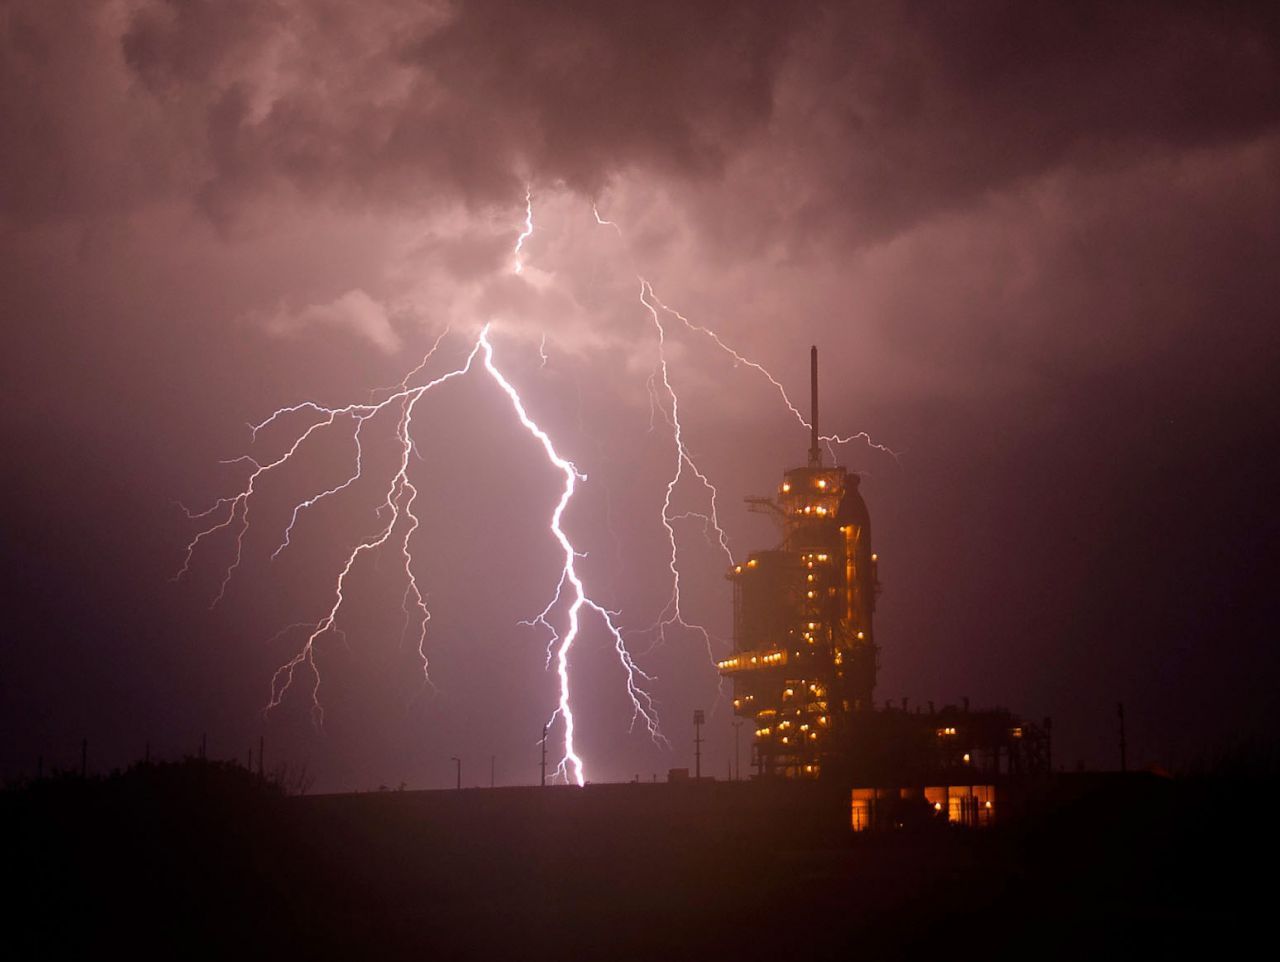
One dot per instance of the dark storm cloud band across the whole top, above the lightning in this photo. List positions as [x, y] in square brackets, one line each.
[894, 111]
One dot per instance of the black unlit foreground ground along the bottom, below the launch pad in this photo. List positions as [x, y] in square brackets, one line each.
[204, 860]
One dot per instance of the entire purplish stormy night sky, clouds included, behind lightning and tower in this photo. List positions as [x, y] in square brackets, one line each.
[1036, 245]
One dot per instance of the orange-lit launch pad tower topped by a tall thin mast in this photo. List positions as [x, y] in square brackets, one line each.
[804, 652]
